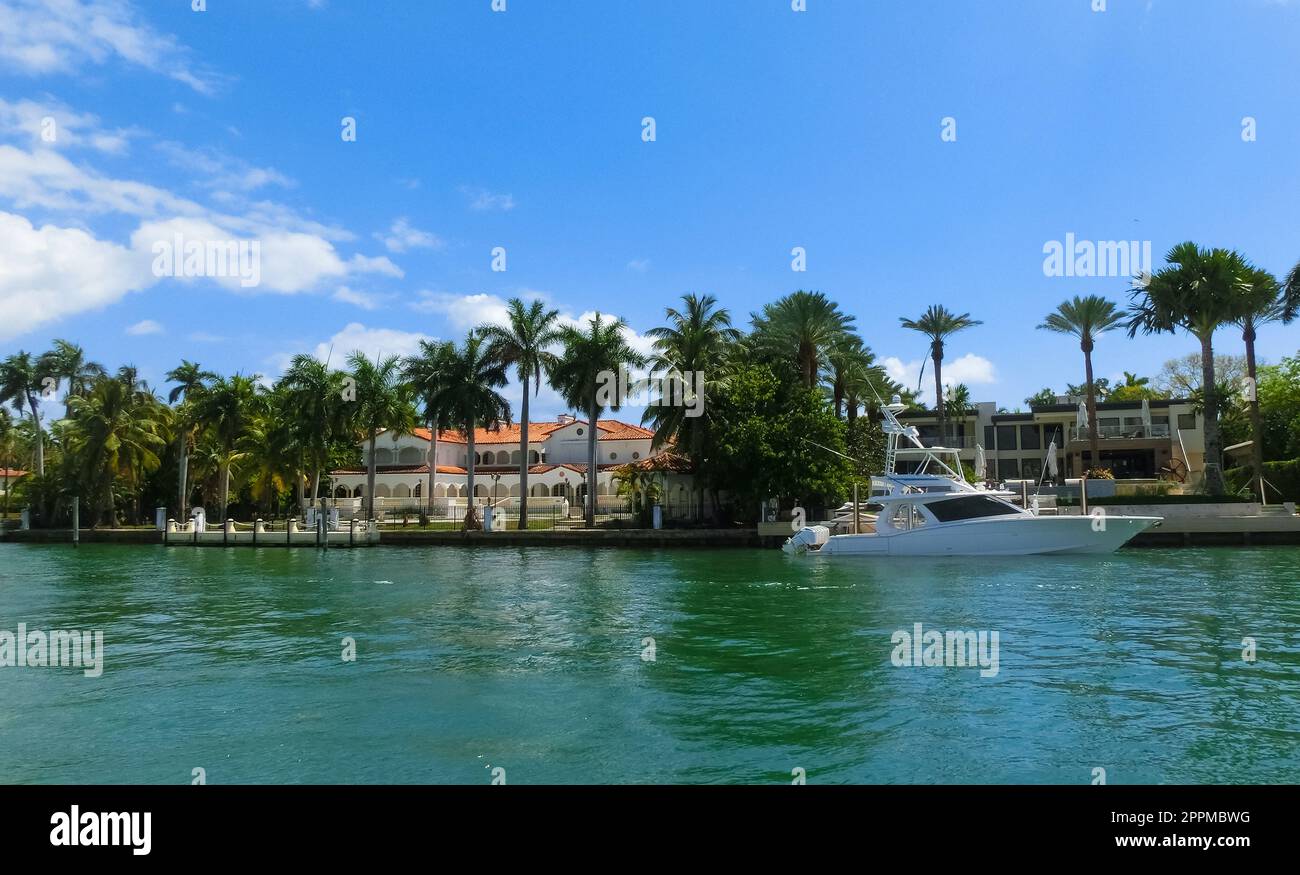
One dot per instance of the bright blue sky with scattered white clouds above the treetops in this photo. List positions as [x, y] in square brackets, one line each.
[775, 129]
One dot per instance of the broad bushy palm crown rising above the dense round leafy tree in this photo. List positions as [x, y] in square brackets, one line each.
[803, 327]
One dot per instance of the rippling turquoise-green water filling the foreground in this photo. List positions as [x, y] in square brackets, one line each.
[532, 661]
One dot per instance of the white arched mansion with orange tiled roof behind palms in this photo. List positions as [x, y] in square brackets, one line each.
[557, 456]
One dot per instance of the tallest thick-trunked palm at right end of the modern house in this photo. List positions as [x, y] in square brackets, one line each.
[1197, 292]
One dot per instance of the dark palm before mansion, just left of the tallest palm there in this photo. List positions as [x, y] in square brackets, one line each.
[469, 397]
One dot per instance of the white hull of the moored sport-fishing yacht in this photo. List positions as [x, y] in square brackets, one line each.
[1016, 536]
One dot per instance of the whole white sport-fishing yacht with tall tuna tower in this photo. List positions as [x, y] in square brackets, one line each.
[931, 510]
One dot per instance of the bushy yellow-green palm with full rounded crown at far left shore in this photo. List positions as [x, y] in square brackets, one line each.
[116, 439]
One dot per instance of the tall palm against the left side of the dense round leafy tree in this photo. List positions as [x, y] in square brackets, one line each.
[697, 341]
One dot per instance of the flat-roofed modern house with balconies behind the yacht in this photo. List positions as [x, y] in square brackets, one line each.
[1138, 441]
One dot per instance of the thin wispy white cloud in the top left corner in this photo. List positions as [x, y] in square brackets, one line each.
[44, 37]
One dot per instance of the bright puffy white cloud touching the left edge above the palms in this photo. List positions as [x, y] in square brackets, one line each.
[50, 272]
